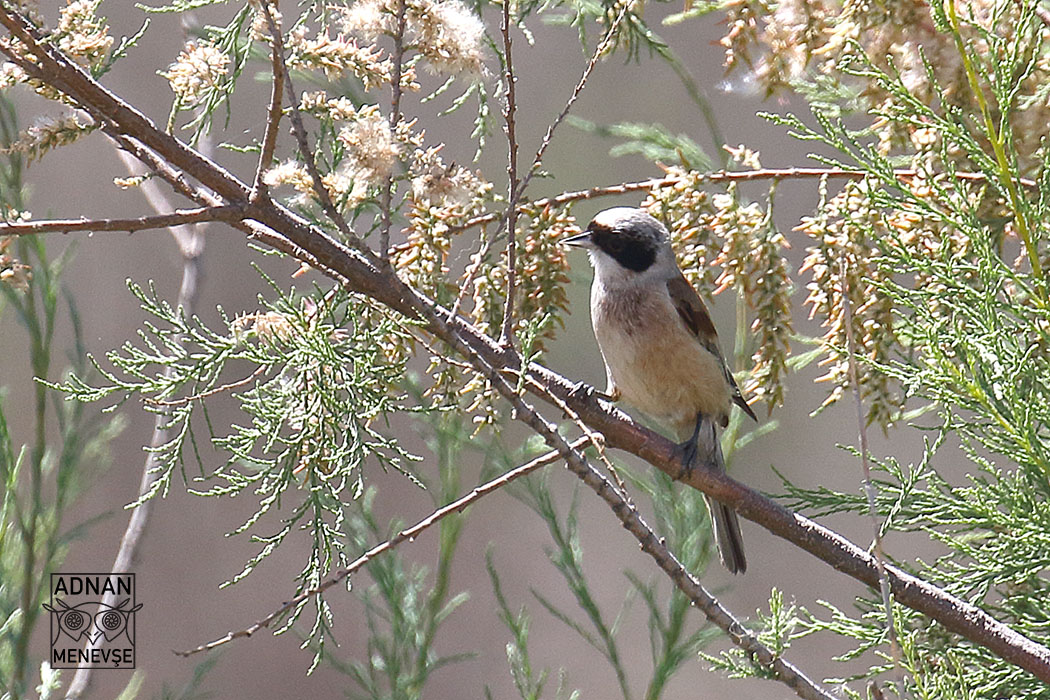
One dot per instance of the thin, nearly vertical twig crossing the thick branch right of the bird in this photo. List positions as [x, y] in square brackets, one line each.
[870, 490]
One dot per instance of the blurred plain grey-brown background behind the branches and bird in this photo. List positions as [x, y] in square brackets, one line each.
[185, 558]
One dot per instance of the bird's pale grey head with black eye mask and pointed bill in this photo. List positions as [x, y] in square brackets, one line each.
[626, 243]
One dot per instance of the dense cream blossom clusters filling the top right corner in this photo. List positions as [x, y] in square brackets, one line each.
[779, 44]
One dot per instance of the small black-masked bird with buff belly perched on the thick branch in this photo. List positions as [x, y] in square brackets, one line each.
[660, 347]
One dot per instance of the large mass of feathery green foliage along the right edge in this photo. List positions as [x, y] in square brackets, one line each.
[961, 266]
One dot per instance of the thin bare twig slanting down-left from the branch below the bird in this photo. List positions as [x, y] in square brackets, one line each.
[409, 534]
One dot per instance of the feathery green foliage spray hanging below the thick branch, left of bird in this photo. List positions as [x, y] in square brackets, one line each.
[320, 390]
